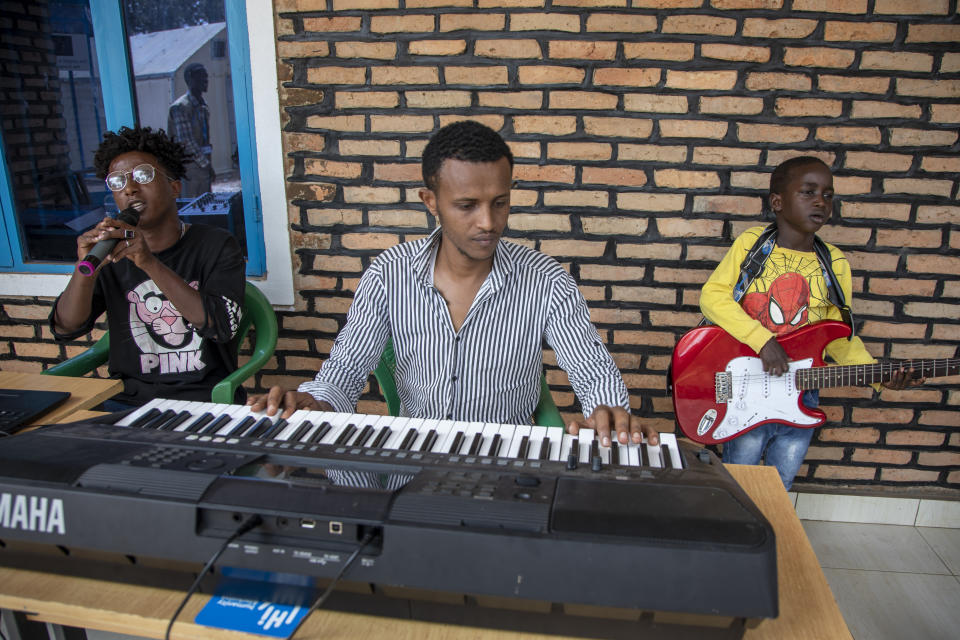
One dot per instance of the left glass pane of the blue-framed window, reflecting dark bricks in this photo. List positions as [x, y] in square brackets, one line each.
[53, 120]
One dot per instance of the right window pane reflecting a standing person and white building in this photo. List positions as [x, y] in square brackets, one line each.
[180, 56]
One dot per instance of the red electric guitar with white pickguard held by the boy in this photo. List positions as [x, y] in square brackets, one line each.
[720, 389]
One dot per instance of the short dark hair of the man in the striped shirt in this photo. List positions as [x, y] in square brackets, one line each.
[464, 140]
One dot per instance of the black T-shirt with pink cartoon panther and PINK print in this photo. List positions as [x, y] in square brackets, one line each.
[153, 349]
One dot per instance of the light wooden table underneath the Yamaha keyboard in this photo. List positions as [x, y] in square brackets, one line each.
[807, 607]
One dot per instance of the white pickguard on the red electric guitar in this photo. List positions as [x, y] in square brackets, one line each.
[756, 397]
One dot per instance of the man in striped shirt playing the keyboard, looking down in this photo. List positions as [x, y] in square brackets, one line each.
[467, 312]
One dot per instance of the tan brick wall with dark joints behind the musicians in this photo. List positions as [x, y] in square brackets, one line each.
[644, 133]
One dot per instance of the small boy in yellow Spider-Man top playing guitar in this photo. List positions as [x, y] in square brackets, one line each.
[792, 289]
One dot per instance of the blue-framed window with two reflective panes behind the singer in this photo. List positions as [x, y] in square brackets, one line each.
[73, 69]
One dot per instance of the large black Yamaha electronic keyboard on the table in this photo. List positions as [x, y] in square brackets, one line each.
[504, 511]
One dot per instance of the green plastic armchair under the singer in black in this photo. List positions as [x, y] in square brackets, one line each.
[257, 313]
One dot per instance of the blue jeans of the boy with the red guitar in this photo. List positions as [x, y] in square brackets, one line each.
[778, 445]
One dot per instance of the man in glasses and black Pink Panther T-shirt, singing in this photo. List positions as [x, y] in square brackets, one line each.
[172, 291]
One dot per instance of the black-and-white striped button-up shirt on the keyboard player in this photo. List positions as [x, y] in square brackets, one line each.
[490, 369]
